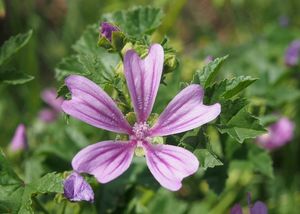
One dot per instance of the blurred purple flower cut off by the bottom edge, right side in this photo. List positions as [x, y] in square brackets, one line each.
[258, 207]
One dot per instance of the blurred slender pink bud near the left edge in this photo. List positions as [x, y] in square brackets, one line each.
[19, 141]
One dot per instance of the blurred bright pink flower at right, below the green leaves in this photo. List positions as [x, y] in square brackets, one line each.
[279, 134]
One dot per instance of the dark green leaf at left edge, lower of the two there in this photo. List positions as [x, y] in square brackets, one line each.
[13, 77]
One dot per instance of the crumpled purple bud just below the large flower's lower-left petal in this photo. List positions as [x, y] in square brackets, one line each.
[77, 189]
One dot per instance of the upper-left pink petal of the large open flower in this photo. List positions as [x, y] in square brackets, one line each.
[92, 105]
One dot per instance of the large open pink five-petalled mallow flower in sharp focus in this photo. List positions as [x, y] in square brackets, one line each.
[109, 159]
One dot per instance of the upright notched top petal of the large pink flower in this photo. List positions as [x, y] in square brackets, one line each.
[143, 78]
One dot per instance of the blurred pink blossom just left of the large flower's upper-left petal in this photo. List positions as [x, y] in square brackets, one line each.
[49, 115]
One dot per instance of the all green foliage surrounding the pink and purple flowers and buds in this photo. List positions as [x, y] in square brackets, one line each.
[44, 41]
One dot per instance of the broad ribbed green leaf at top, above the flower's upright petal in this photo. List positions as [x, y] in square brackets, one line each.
[136, 22]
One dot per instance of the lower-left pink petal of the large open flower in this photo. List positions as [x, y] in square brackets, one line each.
[105, 160]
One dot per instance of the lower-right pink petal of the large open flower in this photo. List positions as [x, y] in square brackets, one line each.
[170, 164]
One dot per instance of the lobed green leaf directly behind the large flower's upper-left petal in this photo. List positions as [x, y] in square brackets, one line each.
[90, 60]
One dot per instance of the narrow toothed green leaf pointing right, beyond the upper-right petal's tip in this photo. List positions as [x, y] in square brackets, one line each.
[236, 85]
